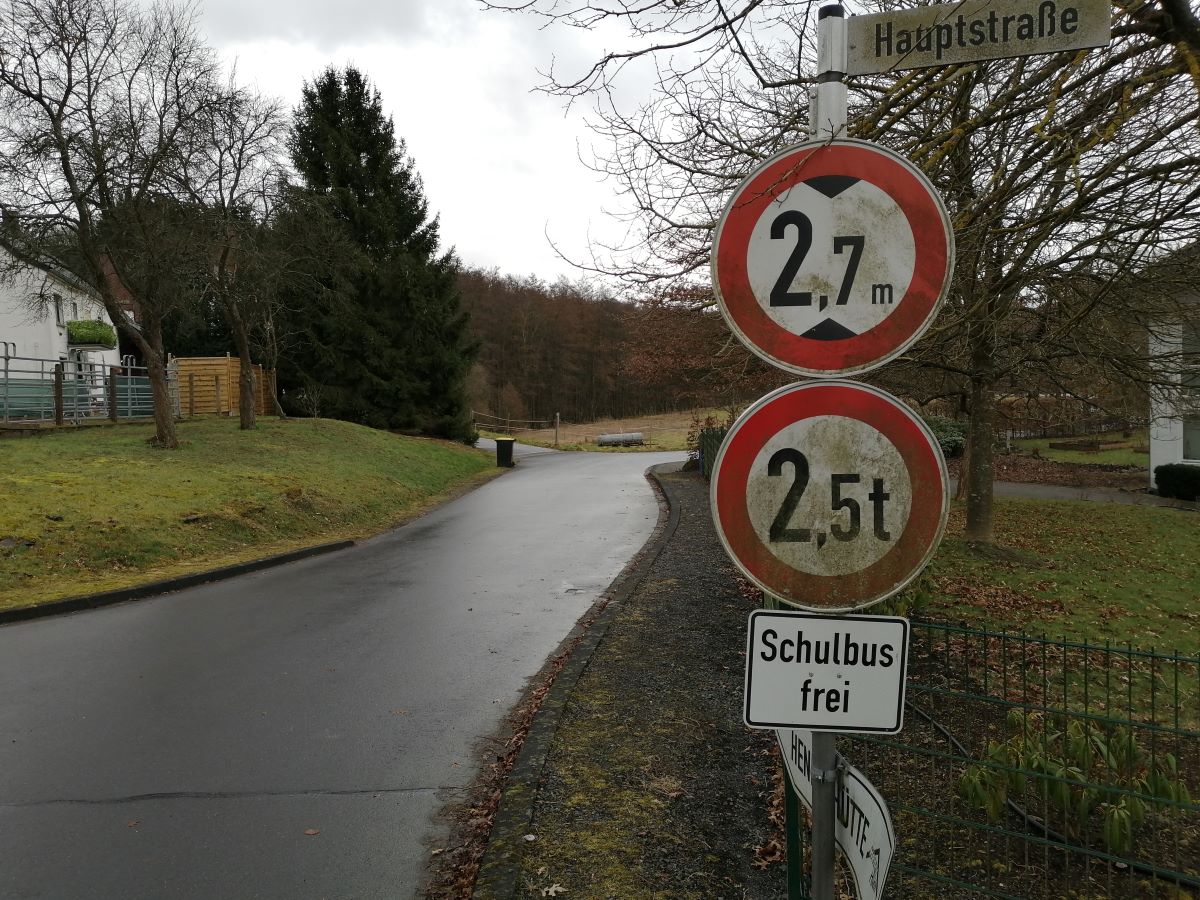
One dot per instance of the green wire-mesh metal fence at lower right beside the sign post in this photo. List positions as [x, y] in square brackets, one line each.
[1039, 769]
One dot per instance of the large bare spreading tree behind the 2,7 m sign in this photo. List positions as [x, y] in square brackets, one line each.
[1063, 175]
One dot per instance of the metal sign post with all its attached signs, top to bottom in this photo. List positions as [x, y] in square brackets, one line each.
[831, 260]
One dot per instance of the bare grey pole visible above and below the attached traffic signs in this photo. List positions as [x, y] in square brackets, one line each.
[829, 121]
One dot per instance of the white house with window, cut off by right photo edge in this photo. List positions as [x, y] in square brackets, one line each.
[1175, 409]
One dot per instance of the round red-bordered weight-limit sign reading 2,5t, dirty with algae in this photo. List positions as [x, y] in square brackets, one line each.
[831, 496]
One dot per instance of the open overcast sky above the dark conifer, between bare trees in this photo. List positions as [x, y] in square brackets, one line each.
[500, 163]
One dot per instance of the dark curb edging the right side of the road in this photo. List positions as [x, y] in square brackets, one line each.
[501, 866]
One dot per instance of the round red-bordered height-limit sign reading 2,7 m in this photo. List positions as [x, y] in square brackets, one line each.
[832, 257]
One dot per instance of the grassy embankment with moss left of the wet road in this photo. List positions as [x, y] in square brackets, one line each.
[98, 509]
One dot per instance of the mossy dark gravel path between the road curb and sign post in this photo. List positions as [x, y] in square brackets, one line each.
[652, 785]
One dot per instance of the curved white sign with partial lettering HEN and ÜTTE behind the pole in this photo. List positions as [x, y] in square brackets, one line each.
[862, 826]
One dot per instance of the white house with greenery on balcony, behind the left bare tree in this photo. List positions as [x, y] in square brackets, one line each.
[38, 305]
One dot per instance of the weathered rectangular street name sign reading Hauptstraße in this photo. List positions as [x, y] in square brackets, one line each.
[974, 31]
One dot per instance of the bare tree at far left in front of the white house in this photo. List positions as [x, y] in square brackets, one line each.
[98, 99]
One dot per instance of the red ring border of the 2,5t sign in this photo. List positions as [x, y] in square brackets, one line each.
[793, 404]
